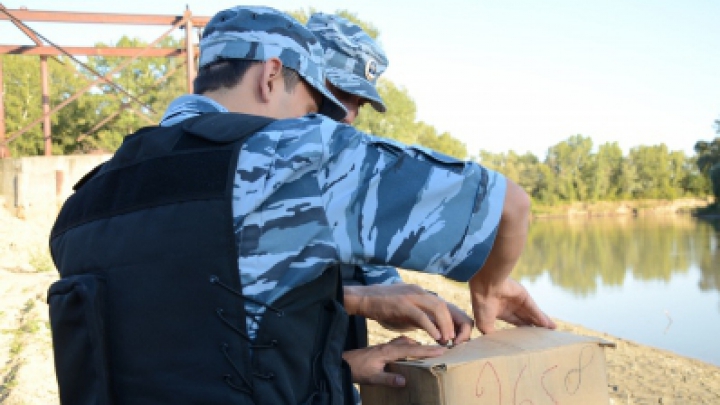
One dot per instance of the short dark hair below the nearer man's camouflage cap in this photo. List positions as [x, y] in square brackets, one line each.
[229, 72]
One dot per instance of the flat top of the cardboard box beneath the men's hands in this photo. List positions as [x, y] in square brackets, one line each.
[505, 342]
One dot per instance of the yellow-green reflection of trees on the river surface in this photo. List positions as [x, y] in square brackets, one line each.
[579, 255]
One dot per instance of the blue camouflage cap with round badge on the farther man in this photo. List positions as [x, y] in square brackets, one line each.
[353, 60]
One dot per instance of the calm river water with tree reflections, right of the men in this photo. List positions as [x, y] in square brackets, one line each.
[652, 280]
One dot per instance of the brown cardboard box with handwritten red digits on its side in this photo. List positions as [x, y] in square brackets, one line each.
[518, 366]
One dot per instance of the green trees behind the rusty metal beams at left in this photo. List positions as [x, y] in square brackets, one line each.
[142, 80]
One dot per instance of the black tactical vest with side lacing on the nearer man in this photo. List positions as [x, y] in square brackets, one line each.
[149, 308]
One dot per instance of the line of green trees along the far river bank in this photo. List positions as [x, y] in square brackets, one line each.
[575, 171]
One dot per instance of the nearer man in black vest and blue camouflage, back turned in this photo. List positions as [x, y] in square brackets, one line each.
[200, 264]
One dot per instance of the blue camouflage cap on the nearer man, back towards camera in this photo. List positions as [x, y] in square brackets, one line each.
[260, 33]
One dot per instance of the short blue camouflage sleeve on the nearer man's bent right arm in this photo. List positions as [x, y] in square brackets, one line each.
[408, 207]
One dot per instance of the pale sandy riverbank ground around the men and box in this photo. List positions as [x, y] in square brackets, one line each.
[637, 374]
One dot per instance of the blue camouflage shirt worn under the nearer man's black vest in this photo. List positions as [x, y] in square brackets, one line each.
[311, 192]
